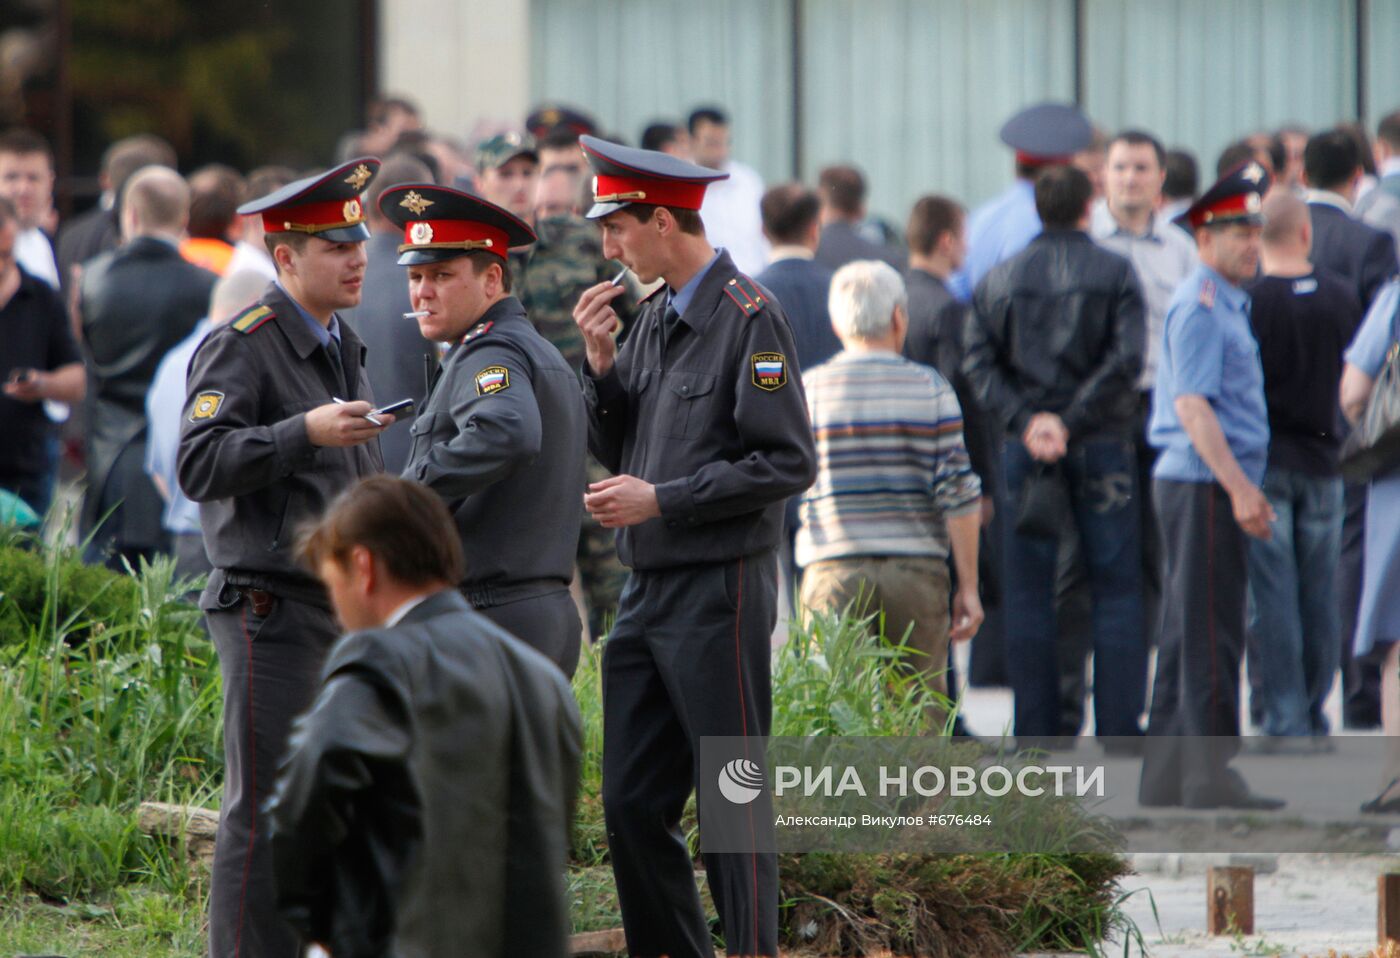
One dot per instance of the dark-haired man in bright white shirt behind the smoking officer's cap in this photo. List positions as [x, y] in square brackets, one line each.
[731, 207]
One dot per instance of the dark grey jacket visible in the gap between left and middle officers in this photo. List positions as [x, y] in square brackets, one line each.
[398, 355]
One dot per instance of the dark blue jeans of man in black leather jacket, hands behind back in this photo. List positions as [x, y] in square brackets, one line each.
[1104, 494]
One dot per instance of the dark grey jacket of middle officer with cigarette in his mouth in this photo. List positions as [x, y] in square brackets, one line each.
[502, 440]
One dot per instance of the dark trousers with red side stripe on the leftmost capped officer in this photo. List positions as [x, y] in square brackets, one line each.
[271, 653]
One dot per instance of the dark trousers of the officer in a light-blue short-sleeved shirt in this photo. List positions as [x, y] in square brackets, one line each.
[1193, 728]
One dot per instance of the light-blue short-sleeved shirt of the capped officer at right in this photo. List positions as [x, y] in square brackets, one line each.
[1209, 351]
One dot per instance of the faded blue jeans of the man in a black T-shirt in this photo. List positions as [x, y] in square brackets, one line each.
[1293, 606]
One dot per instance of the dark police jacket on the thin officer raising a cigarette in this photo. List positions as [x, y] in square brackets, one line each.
[716, 419]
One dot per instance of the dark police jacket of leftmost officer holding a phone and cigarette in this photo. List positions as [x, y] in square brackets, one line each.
[244, 454]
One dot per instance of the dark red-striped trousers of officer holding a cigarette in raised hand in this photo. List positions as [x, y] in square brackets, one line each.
[688, 658]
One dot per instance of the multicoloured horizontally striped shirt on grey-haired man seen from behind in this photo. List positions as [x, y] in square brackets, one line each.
[891, 463]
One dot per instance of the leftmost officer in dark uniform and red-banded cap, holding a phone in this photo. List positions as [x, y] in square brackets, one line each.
[276, 424]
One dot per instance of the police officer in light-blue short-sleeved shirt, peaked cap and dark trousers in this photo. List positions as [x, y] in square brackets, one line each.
[1212, 424]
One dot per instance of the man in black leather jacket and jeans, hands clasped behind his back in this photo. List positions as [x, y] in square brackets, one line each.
[1053, 352]
